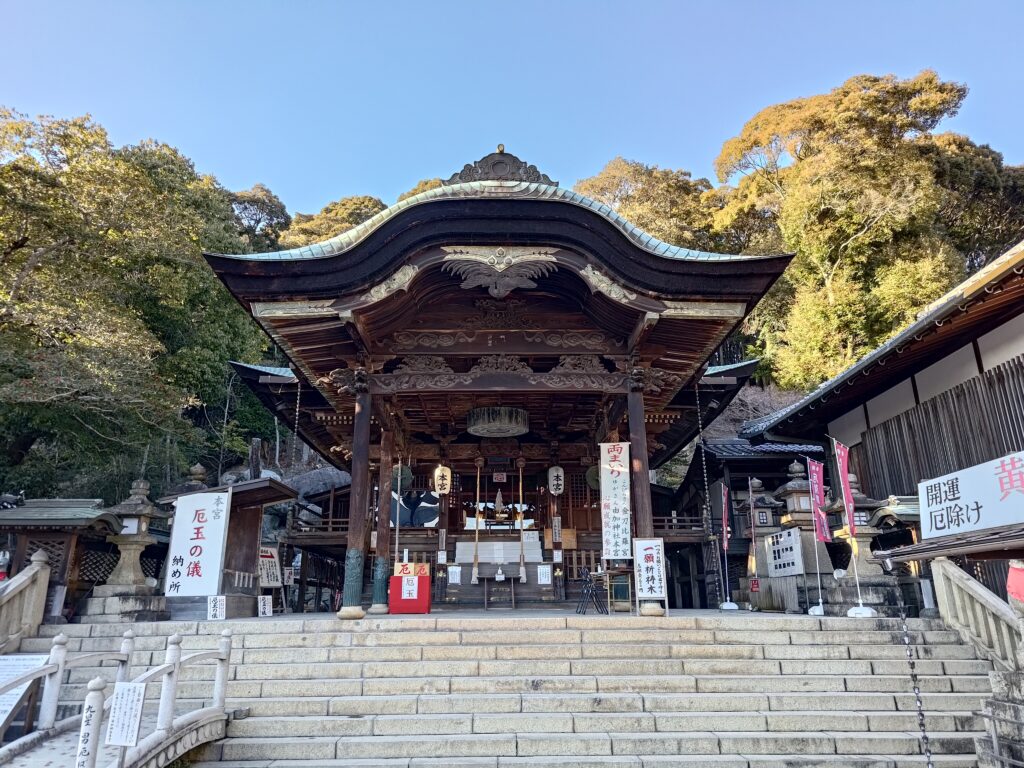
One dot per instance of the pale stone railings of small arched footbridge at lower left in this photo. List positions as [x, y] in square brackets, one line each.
[172, 737]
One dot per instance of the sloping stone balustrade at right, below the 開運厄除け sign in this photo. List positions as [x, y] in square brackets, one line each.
[978, 616]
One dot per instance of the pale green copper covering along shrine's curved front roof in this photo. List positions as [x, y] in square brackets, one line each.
[494, 189]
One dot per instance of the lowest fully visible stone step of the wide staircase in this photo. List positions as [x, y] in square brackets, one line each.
[596, 744]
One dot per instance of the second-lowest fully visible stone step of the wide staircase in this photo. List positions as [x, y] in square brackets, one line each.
[648, 722]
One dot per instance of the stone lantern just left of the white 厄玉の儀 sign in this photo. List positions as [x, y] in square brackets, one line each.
[126, 596]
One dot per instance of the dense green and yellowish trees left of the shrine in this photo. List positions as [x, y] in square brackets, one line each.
[114, 333]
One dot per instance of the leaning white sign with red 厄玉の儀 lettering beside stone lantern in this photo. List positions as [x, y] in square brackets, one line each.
[198, 539]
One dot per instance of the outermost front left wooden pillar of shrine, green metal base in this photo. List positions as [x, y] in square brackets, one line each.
[352, 606]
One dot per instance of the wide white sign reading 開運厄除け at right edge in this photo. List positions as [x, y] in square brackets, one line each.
[987, 496]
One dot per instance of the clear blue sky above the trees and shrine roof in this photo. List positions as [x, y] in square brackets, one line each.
[325, 100]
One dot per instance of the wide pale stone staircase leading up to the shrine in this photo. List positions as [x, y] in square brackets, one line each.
[699, 690]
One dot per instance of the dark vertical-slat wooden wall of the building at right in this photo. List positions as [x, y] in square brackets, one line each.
[975, 422]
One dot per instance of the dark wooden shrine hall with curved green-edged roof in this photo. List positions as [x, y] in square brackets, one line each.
[502, 328]
